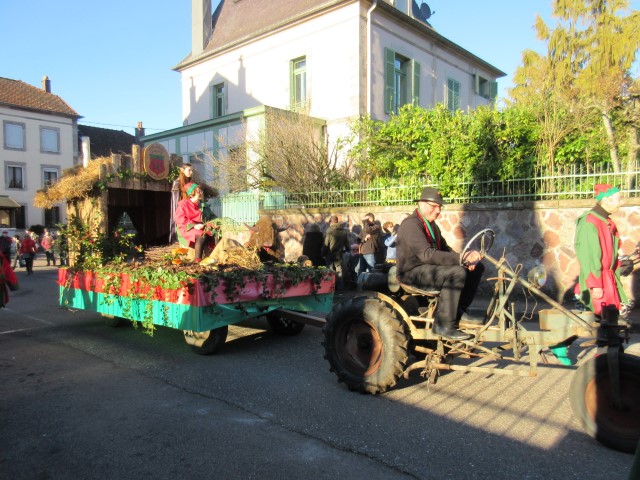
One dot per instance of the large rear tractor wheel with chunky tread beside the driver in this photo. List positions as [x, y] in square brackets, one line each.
[365, 344]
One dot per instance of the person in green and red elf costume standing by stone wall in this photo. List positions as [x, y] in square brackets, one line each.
[597, 244]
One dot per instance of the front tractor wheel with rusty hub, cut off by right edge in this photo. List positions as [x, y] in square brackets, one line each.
[592, 402]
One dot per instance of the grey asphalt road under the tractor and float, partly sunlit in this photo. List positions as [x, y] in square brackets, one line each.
[79, 400]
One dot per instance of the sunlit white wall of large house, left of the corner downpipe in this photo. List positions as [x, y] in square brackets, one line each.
[258, 74]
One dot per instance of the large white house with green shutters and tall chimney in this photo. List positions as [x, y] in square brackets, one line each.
[335, 59]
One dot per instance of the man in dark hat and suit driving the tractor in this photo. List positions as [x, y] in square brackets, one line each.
[425, 260]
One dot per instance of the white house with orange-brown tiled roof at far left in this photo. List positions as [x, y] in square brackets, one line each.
[39, 139]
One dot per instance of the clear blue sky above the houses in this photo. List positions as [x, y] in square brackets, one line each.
[112, 61]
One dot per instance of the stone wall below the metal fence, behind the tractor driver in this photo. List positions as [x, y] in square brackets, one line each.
[526, 233]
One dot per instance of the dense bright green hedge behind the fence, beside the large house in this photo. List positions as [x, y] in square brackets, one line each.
[436, 146]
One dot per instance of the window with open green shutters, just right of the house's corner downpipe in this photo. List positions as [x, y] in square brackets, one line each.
[402, 81]
